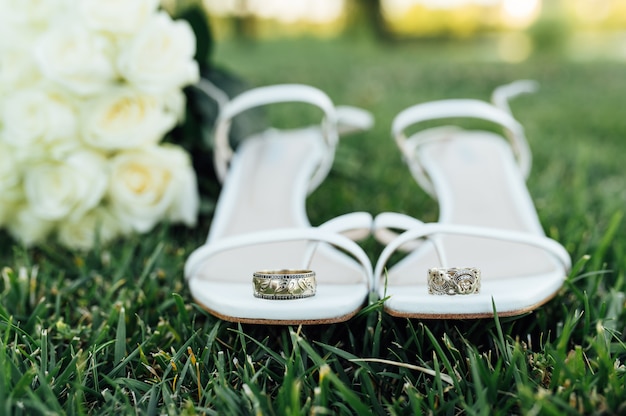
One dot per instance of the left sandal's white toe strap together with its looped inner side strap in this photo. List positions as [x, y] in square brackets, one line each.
[329, 232]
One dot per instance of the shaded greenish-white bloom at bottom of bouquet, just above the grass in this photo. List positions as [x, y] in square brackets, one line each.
[97, 225]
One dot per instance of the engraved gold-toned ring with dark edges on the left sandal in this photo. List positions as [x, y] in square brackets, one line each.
[284, 284]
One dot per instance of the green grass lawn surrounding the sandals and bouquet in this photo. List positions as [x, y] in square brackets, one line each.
[115, 329]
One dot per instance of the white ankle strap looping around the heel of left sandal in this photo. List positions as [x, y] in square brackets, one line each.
[223, 152]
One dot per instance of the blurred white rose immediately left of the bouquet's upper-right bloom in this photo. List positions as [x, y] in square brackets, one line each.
[76, 58]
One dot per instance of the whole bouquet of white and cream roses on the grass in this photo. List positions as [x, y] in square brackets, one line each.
[88, 91]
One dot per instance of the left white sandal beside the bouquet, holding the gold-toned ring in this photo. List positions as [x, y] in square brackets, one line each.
[263, 262]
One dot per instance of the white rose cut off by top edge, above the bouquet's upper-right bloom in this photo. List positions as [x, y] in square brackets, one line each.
[117, 16]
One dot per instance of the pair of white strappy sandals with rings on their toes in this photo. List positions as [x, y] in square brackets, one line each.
[264, 263]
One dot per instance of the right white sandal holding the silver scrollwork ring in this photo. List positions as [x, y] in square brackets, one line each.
[488, 247]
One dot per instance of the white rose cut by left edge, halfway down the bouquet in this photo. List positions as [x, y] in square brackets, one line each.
[37, 116]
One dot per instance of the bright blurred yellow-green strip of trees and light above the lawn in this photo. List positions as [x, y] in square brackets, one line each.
[515, 29]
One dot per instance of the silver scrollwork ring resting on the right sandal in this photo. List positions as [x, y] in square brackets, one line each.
[453, 281]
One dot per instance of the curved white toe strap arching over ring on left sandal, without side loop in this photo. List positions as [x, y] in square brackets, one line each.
[204, 252]
